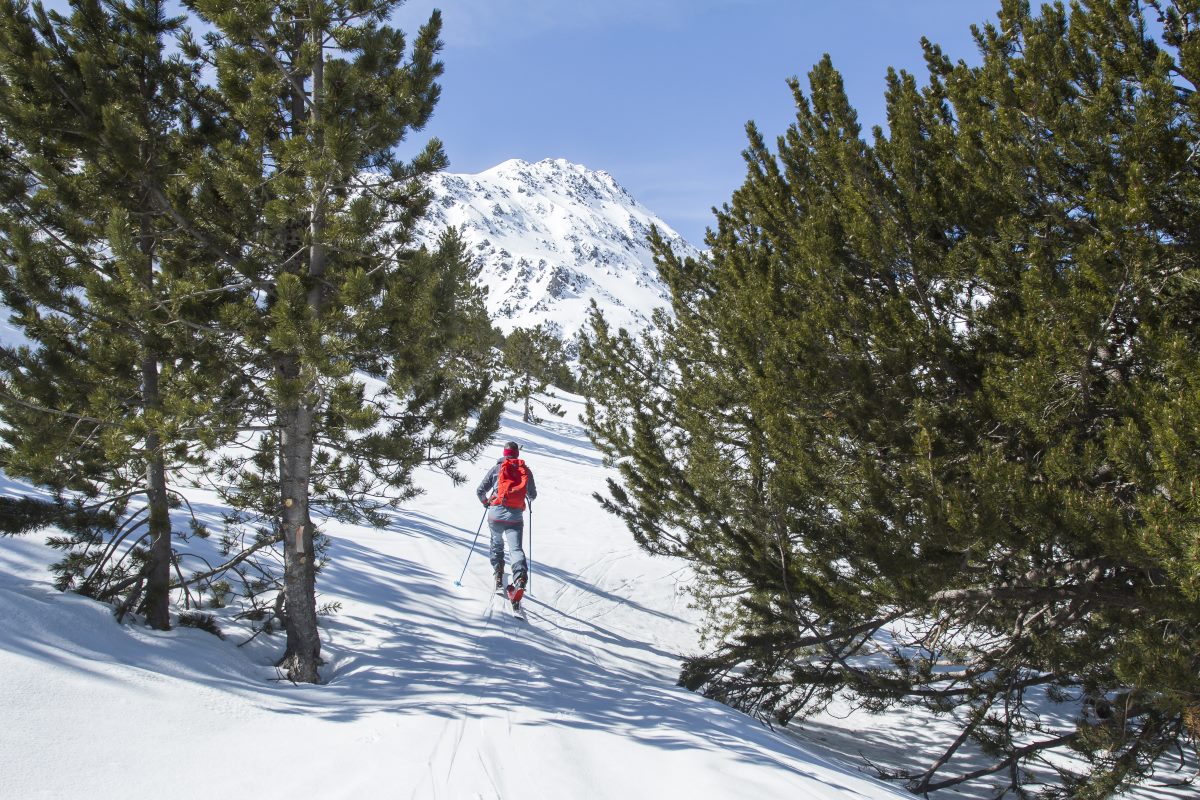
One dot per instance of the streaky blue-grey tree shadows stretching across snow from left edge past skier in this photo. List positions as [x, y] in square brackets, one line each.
[410, 645]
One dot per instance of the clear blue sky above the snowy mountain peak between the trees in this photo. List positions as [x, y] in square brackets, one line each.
[658, 92]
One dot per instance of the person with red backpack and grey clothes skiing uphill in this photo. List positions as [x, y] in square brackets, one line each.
[505, 492]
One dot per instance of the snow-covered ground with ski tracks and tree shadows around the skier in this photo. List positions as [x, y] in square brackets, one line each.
[433, 690]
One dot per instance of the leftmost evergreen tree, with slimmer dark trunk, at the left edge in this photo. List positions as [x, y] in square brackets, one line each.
[107, 398]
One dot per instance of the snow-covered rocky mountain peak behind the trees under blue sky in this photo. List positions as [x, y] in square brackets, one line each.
[550, 237]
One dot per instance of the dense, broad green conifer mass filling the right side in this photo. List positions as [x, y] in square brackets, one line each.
[926, 419]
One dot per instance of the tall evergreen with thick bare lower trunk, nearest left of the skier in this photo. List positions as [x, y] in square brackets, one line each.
[361, 350]
